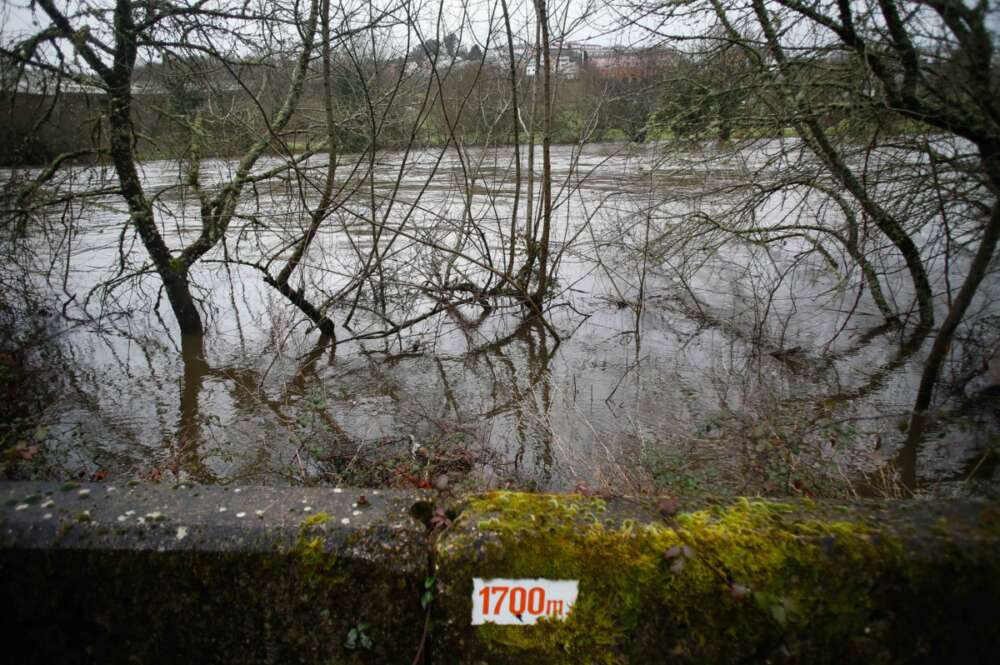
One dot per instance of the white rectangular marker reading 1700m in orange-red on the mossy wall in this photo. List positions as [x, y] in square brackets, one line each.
[521, 602]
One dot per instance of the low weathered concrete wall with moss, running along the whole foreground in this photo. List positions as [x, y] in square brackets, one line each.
[96, 573]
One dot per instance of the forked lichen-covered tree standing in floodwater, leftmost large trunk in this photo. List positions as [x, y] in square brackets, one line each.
[108, 40]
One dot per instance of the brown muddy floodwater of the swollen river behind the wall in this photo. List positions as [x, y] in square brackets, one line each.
[708, 367]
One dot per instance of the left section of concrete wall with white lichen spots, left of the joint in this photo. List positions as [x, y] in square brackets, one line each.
[151, 574]
